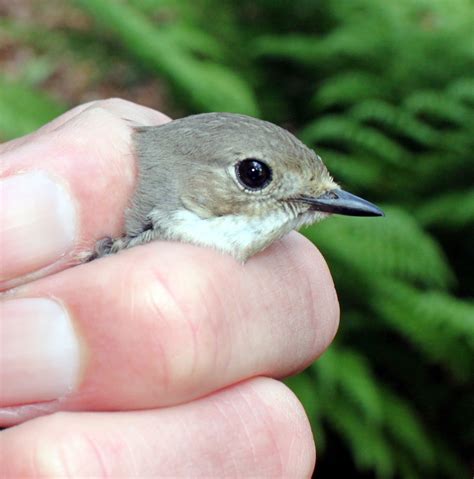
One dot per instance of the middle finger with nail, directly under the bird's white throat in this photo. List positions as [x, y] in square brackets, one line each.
[171, 321]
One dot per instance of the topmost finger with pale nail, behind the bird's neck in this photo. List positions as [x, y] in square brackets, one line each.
[67, 188]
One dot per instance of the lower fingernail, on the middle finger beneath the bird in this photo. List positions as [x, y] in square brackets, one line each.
[39, 355]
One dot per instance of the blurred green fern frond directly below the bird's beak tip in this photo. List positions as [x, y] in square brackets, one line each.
[395, 246]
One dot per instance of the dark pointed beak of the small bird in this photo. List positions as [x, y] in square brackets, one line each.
[342, 203]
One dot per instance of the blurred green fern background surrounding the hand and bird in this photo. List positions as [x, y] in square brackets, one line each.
[385, 92]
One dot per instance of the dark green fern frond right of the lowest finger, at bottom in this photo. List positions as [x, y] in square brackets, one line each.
[344, 391]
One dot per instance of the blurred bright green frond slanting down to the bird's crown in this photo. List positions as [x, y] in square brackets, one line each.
[207, 84]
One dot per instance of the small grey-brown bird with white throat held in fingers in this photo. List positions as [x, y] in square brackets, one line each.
[227, 181]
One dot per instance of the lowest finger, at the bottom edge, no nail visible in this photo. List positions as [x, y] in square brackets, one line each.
[255, 429]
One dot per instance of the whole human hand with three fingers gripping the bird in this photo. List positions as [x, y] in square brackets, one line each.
[161, 360]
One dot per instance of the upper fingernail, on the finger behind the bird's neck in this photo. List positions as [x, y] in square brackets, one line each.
[37, 223]
